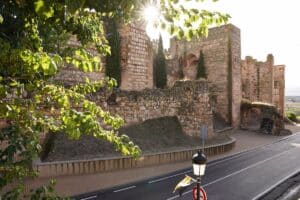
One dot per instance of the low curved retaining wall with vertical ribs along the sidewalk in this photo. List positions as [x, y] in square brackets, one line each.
[54, 169]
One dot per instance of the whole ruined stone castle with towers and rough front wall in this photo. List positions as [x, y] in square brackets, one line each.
[194, 102]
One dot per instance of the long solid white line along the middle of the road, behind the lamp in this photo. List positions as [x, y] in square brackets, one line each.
[232, 174]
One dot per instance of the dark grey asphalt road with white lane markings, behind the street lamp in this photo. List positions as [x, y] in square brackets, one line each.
[247, 175]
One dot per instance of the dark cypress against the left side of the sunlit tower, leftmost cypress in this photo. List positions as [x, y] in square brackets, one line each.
[113, 61]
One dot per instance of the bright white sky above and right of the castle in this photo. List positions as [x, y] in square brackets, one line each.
[267, 26]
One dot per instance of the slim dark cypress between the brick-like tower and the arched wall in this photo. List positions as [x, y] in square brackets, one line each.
[159, 66]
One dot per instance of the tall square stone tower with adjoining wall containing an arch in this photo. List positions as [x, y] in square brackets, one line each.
[222, 53]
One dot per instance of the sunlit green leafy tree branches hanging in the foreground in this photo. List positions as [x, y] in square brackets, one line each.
[34, 42]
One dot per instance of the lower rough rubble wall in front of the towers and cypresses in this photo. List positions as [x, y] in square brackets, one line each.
[188, 100]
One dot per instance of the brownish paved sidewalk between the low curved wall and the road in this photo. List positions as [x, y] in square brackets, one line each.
[73, 185]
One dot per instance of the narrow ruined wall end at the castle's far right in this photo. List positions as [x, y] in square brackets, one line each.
[279, 87]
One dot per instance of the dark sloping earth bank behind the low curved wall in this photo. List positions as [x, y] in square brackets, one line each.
[152, 136]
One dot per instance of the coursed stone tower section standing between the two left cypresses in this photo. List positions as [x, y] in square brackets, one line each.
[136, 58]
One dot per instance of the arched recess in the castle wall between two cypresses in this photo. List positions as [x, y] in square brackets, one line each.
[190, 67]
